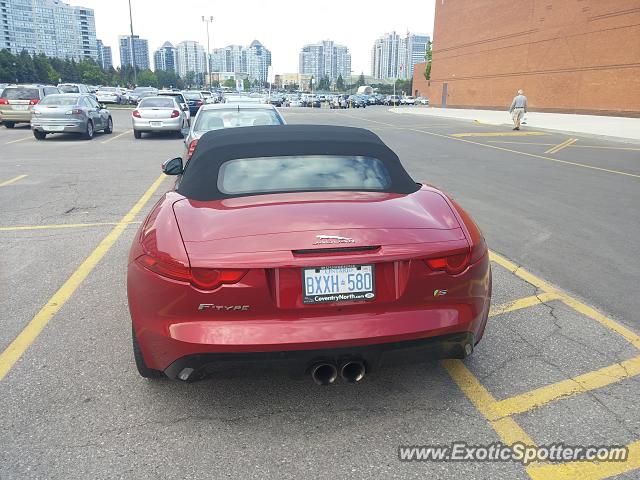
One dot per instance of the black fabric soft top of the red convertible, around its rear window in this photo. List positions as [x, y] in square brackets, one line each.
[199, 181]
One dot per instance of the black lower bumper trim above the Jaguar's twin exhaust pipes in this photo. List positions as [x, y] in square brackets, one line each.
[299, 362]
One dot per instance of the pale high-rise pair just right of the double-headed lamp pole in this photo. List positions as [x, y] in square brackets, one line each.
[253, 61]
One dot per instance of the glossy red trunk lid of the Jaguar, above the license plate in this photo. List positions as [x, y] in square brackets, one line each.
[329, 228]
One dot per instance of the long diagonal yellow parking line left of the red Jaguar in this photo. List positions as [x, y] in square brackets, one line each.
[22, 342]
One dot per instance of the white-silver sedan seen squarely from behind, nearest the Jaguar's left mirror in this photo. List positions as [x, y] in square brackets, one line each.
[158, 114]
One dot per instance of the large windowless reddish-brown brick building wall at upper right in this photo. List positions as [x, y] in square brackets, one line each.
[567, 55]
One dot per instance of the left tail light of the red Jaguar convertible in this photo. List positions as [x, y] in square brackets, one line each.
[201, 278]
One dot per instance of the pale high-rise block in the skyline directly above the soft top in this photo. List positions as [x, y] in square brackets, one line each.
[325, 59]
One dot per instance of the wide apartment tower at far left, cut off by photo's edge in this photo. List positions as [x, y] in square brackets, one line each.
[52, 27]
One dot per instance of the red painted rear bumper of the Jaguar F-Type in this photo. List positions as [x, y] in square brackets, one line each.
[166, 334]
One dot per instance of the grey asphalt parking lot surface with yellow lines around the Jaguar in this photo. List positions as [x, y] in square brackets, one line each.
[559, 361]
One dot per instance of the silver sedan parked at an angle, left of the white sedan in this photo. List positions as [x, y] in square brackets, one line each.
[70, 113]
